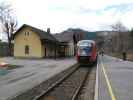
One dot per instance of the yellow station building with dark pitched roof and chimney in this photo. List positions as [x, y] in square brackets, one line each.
[30, 42]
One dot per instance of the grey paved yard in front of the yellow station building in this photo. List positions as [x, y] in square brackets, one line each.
[31, 74]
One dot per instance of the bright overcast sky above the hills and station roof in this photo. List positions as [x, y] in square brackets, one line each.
[91, 15]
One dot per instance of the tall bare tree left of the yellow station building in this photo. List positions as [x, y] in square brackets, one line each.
[9, 22]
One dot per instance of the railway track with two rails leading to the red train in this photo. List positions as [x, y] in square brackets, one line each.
[66, 88]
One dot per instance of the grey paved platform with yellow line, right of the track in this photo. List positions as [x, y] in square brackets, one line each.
[116, 81]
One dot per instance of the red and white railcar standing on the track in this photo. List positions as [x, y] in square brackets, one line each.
[86, 52]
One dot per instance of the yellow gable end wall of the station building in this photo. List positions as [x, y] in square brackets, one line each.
[25, 37]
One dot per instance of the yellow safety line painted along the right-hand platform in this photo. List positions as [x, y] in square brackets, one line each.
[108, 83]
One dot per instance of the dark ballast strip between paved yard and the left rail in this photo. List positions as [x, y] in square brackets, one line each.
[45, 86]
